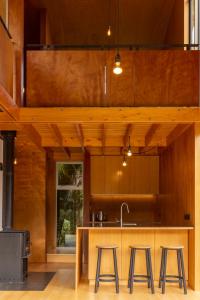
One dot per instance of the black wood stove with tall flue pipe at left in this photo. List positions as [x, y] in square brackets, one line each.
[14, 244]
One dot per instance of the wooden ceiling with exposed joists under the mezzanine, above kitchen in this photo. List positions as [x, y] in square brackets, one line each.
[100, 138]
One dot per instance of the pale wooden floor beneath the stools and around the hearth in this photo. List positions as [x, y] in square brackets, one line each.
[61, 287]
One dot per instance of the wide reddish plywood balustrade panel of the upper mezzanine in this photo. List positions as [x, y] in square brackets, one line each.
[149, 78]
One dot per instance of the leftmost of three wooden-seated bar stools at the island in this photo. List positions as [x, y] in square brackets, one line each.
[107, 277]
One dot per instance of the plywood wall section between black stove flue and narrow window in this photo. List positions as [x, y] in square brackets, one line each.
[30, 198]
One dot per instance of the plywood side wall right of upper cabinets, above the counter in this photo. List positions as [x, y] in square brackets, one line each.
[177, 180]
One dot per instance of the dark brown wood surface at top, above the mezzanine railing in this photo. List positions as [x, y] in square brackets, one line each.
[86, 21]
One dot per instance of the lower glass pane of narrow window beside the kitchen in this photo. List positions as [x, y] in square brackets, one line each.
[69, 215]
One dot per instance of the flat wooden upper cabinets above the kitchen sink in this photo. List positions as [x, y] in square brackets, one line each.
[108, 176]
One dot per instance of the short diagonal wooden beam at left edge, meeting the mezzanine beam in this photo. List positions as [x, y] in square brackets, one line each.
[8, 105]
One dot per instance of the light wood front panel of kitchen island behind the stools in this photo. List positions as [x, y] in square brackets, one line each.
[125, 237]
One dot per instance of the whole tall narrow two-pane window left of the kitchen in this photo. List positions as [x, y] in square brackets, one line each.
[69, 202]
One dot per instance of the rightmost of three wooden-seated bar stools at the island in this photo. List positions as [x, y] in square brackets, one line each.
[181, 271]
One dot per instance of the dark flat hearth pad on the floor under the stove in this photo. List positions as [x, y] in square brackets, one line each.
[36, 281]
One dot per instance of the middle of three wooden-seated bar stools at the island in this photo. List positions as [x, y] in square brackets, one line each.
[147, 278]
